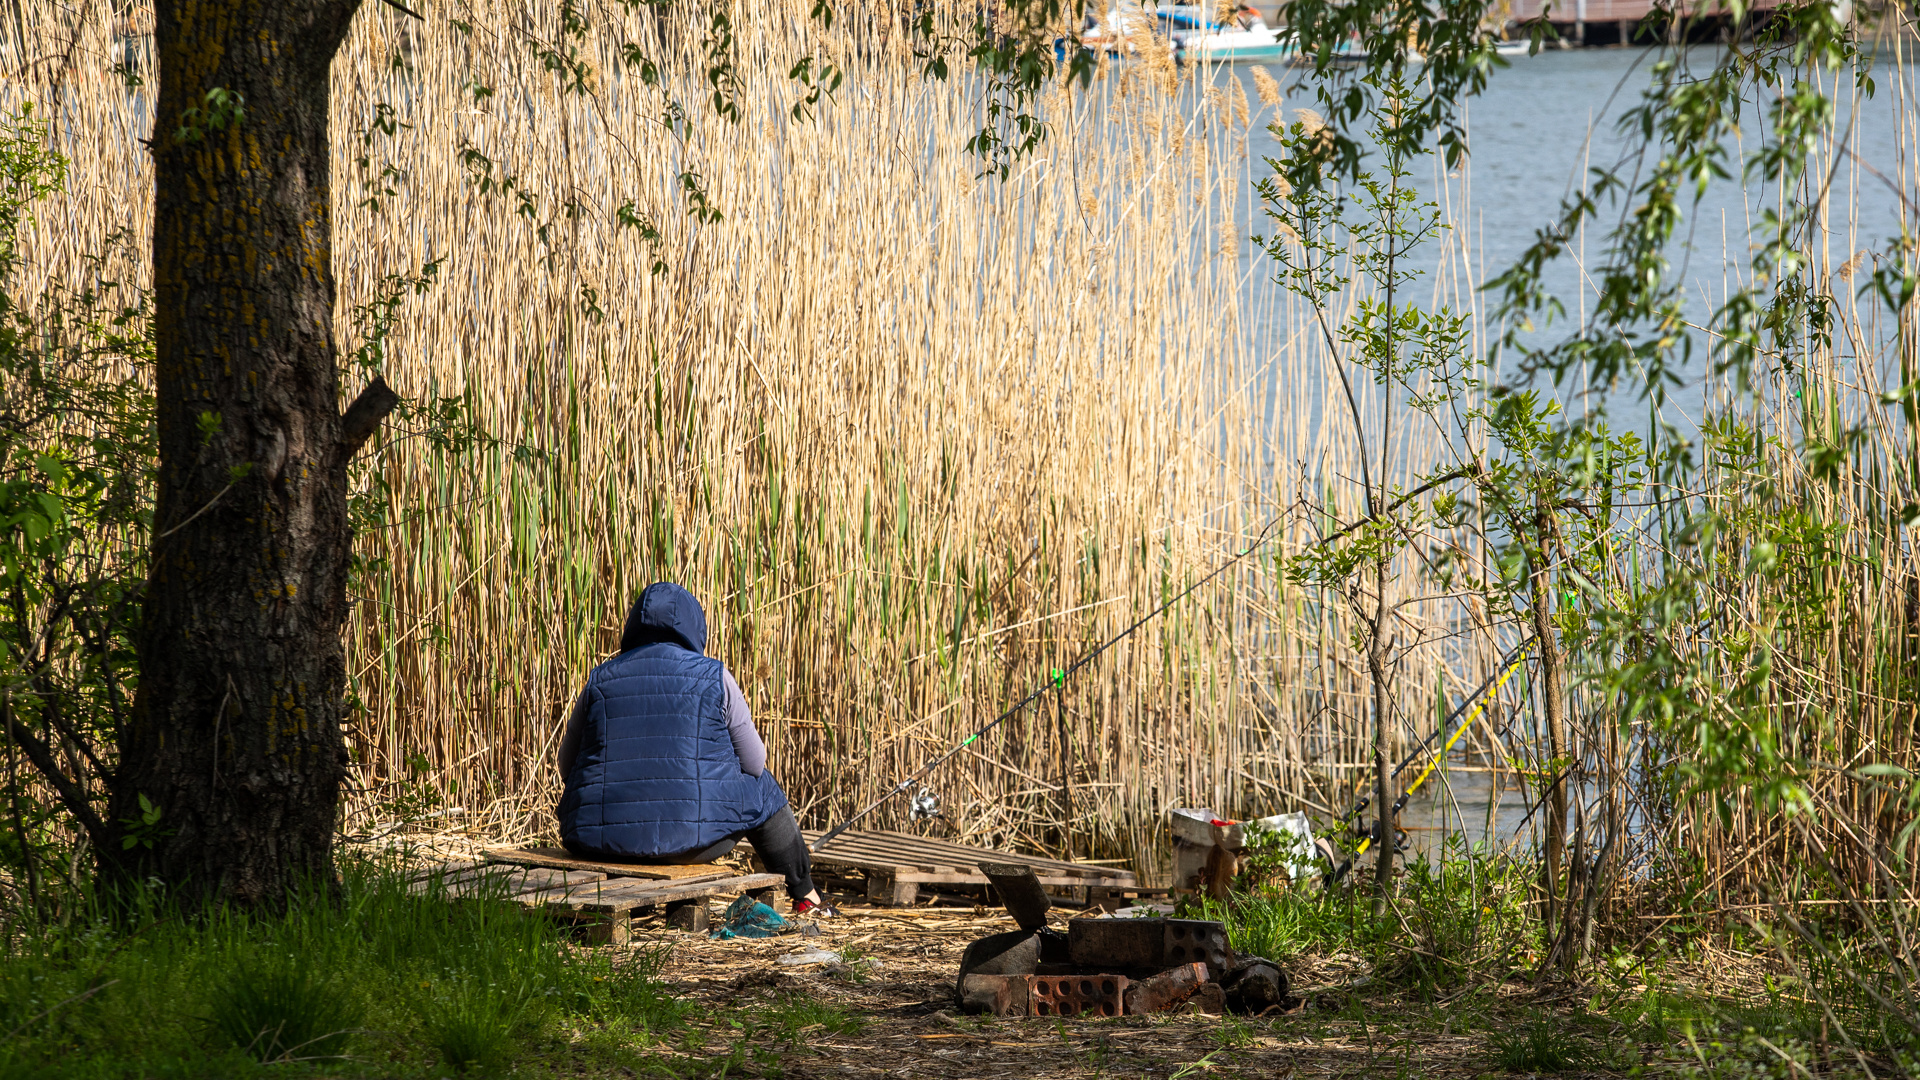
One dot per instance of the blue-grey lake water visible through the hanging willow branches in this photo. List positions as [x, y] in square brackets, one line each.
[1539, 130]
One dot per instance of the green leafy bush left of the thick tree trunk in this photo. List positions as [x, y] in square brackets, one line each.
[78, 458]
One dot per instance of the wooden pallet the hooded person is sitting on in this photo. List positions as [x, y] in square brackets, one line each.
[602, 896]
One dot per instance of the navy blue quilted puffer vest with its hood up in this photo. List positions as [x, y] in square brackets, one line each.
[656, 773]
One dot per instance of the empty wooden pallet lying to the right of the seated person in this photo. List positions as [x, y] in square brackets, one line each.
[898, 866]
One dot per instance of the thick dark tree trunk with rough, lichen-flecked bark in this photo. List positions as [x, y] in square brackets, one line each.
[235, 735]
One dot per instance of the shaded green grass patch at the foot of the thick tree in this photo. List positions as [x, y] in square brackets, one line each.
[370, 975]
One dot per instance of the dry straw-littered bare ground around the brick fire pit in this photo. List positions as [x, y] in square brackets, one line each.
[909, 1029]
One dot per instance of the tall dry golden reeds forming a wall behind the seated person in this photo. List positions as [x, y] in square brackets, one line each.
[915, 435]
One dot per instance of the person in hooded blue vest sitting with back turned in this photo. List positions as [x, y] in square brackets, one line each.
[663, 764]
